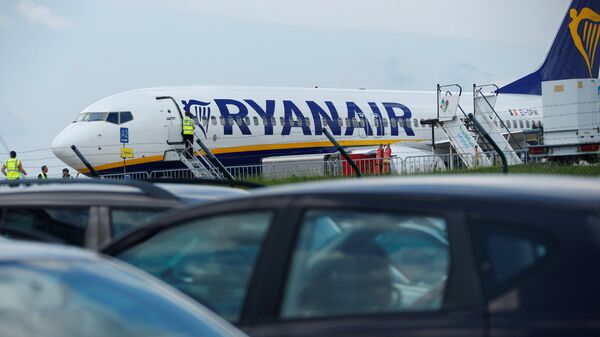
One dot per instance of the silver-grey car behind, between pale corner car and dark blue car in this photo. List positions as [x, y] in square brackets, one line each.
[89, 213]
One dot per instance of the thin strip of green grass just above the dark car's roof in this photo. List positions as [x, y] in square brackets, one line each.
[546, 169]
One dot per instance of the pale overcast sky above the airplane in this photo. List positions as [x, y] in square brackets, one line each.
[57, 57]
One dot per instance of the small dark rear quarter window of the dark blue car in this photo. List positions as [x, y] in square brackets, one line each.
[507, 254]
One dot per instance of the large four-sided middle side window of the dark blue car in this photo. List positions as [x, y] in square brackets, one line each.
[353, 263]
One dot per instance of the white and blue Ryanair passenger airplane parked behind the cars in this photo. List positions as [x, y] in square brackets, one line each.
[242, 125]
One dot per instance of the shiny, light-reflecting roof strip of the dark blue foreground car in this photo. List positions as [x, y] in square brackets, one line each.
[534, 188]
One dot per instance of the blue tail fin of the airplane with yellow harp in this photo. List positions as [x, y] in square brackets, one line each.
[573, 52]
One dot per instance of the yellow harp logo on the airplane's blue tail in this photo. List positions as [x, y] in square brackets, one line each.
[587, 42]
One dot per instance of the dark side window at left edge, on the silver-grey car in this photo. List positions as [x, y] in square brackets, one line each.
[48, 224]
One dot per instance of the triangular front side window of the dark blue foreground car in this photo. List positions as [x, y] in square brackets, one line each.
[210, 259]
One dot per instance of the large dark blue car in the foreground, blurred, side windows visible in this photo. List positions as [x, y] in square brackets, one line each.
[434, 256]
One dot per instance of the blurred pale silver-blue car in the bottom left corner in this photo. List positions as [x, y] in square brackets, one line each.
[59, 291]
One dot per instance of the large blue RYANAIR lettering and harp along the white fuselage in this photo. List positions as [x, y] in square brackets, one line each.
[236, 113]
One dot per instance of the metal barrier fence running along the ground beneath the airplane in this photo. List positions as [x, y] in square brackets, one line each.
[434, 163]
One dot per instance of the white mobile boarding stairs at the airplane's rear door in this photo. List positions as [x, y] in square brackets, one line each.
[466, 139]
